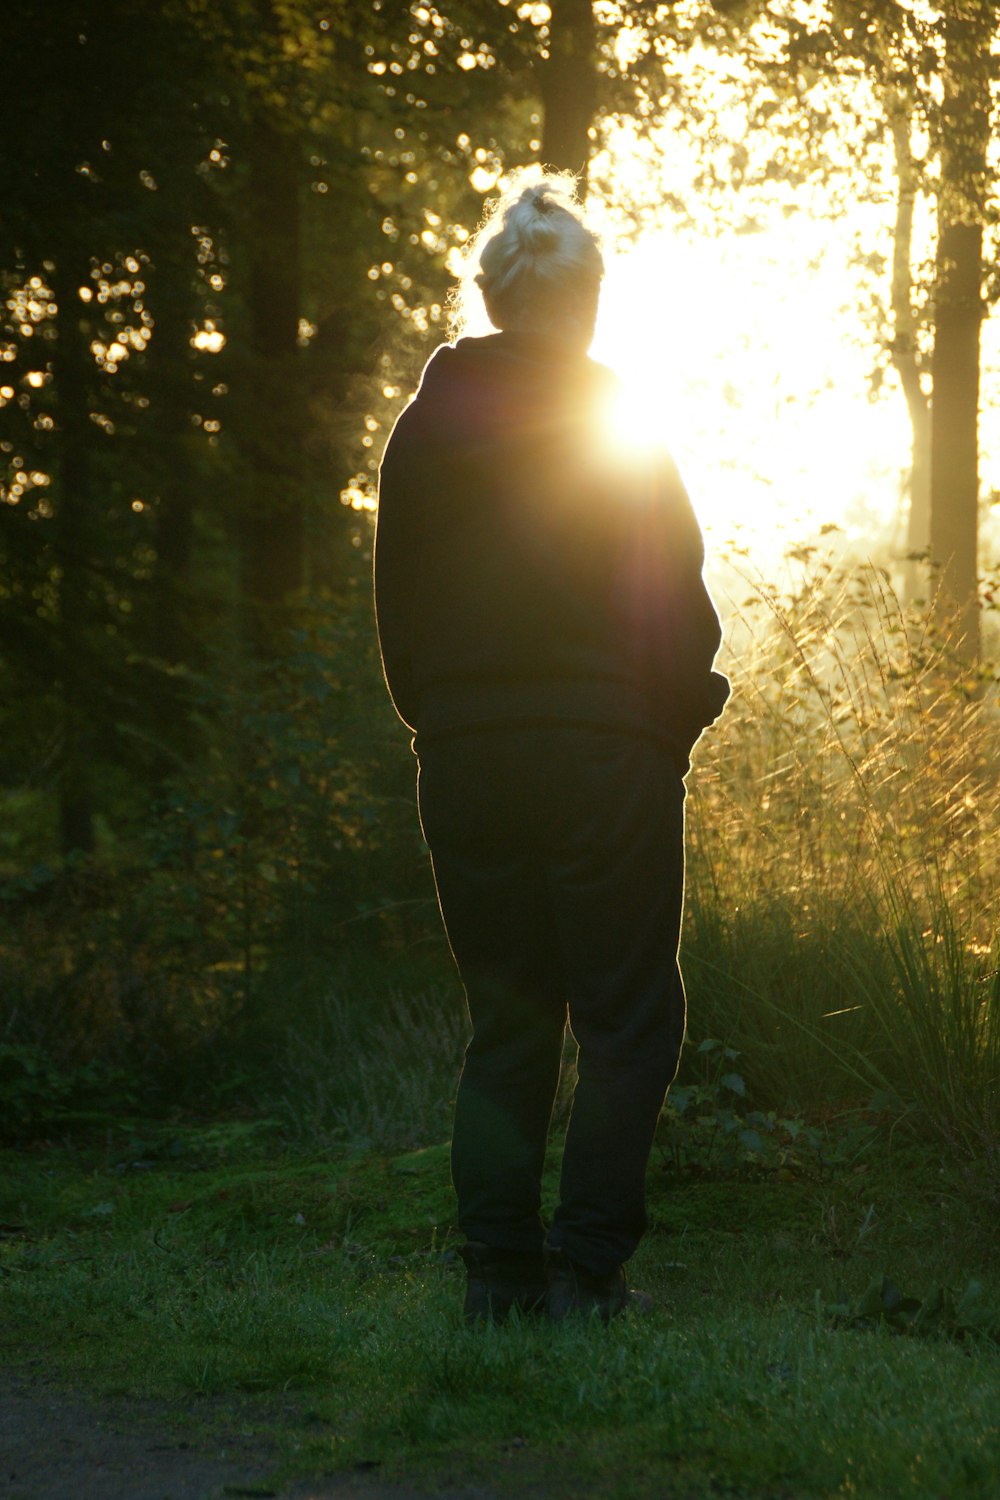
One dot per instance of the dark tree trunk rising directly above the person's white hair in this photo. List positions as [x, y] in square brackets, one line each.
[569, 88]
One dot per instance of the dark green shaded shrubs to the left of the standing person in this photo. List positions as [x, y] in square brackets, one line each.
[199, 944]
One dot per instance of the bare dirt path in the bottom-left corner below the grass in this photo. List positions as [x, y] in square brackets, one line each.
[58, 1445]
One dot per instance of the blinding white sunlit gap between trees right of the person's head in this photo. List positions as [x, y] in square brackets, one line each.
[755, 352]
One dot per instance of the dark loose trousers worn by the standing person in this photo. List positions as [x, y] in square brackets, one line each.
[558, 854]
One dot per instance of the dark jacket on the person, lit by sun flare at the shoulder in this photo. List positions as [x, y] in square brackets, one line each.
[527, 568]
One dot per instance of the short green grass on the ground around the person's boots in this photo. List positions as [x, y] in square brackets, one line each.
[181, 1262]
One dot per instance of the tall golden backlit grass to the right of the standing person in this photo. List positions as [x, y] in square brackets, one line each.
[845, 860]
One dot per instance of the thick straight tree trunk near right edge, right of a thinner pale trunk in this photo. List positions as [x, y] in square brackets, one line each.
[957, 323]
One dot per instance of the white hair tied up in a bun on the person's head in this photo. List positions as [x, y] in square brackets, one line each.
[534, 260]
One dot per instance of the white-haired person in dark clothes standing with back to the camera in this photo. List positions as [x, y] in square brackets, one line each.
[548, 638]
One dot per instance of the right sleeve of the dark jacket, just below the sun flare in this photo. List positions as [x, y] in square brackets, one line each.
[672, 622]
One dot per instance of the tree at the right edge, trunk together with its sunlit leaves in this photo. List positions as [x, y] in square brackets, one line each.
[933, 68]
